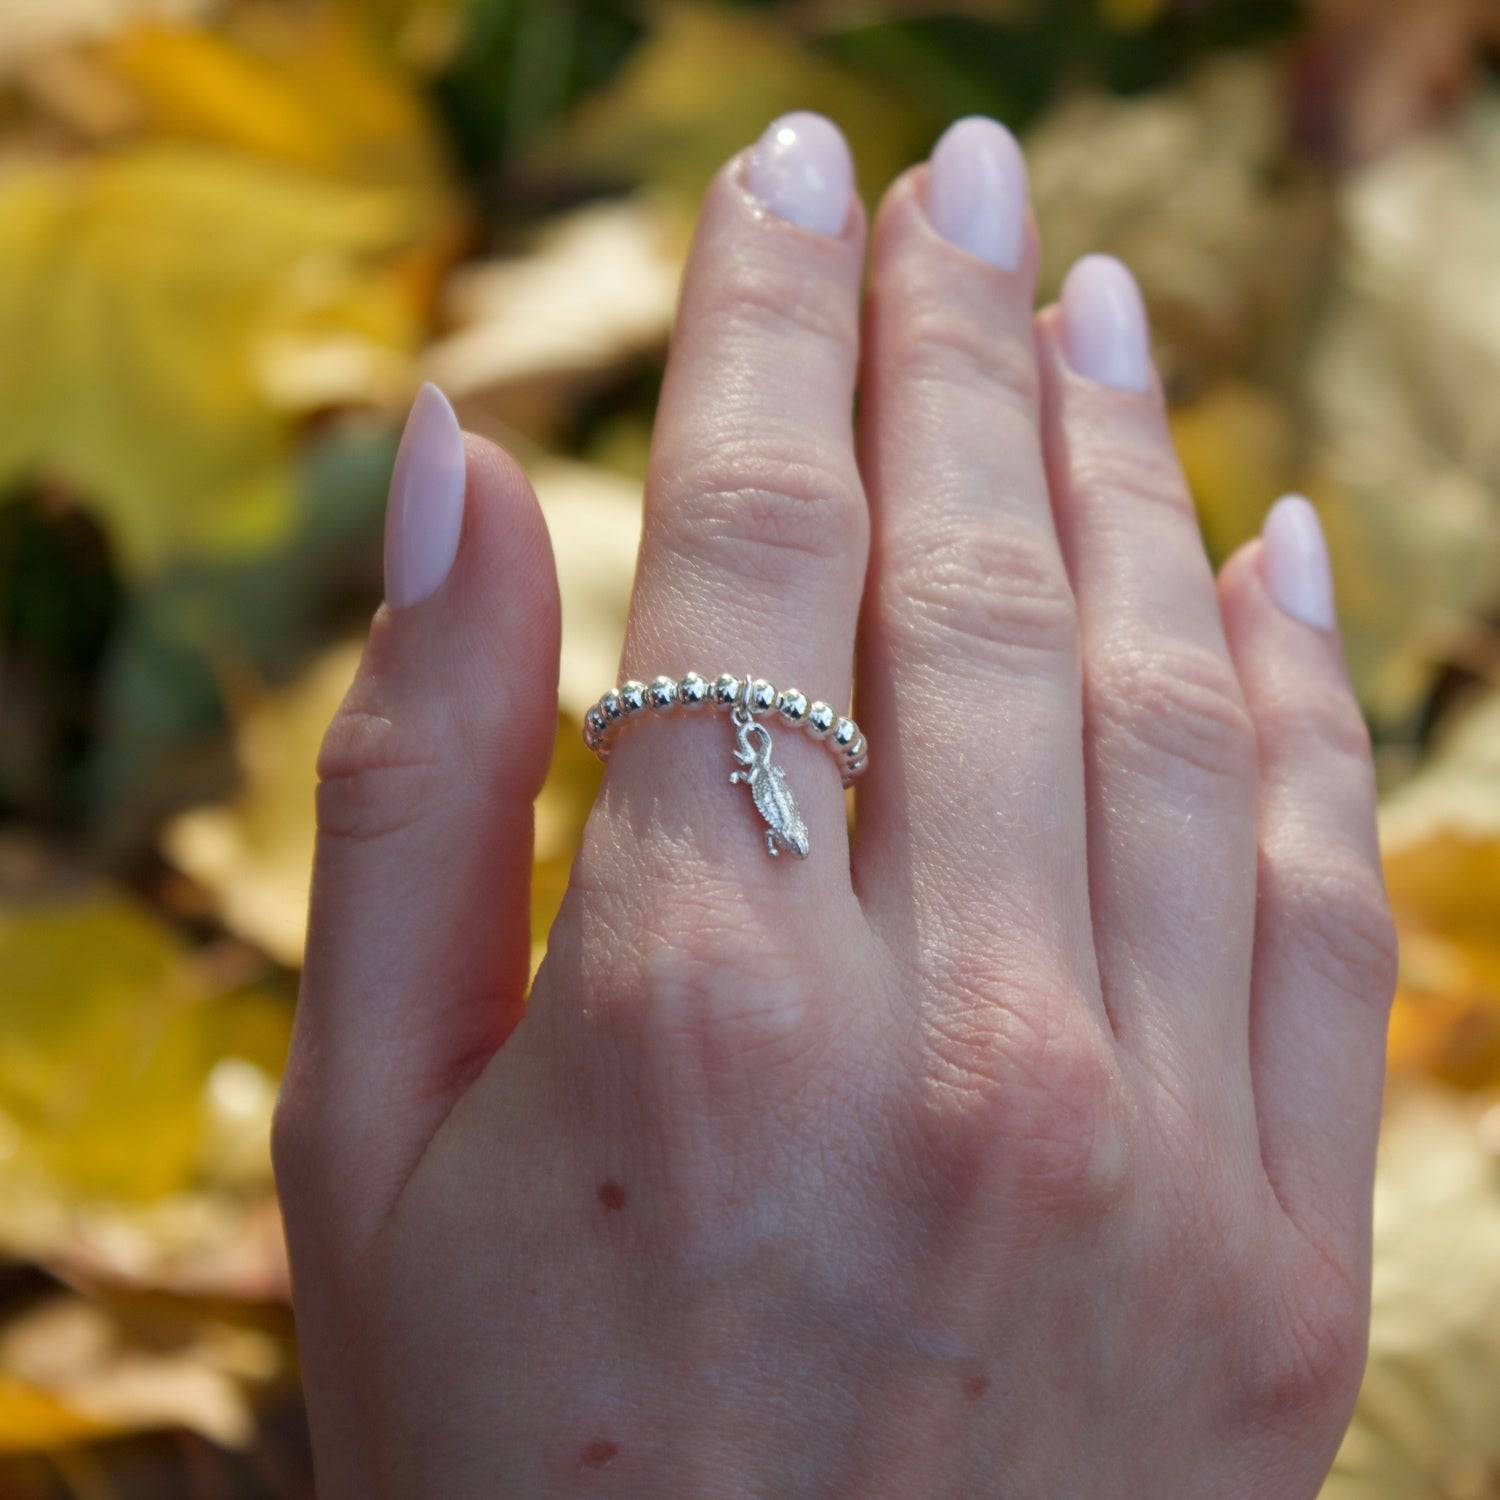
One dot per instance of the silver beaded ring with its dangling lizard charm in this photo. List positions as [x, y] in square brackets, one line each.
[748, 701]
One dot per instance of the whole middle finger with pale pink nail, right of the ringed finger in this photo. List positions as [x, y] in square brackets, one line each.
[971, 815]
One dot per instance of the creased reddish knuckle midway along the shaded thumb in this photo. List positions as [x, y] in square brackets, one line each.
[376, 778]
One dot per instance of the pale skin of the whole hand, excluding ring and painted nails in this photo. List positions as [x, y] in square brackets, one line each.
[1018, 1145]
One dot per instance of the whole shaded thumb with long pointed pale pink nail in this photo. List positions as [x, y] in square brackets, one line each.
[419, 931]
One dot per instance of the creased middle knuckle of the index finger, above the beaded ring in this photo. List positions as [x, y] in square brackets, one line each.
[766, 511]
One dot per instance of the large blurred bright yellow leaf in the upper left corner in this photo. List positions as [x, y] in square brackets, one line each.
[167, 310]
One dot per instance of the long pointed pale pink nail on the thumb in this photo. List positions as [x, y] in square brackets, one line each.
[425, 512]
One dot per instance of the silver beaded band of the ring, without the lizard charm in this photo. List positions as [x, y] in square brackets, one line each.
[743, 695]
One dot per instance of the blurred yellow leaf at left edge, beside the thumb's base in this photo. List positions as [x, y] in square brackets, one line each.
[136, 1094]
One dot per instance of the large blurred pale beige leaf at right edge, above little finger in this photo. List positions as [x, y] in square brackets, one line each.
[1406, 451]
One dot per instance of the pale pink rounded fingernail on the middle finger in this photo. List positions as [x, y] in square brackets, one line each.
[977, 191]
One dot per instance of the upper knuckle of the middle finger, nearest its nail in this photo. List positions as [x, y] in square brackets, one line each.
[935, 344]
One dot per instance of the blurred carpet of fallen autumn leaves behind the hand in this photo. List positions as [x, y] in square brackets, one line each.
[235, 235]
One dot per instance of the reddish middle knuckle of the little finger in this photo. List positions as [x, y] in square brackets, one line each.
[1340, 911]
